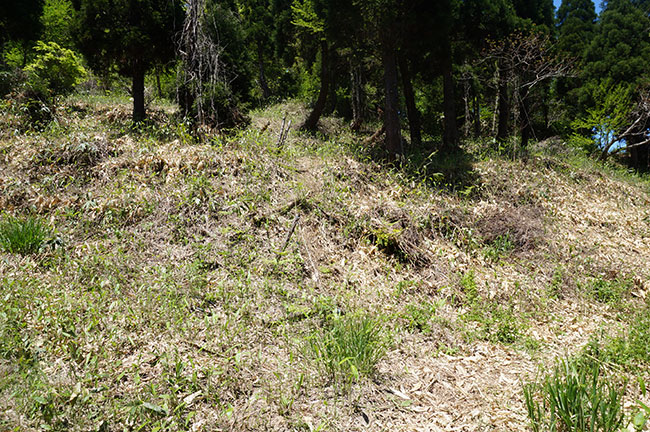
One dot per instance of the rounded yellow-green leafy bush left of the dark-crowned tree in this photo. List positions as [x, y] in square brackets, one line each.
[55, 70]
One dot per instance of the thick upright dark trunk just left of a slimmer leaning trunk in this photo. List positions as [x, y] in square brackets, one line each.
[391, 118]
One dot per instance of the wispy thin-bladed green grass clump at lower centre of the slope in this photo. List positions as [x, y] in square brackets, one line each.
[348, 348]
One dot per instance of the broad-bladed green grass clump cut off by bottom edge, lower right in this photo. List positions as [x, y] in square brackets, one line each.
[575, 397]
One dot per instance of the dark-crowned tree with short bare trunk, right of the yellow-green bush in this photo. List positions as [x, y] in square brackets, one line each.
[130, 35]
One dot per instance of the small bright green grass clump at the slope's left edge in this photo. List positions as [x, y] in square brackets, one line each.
[23, 236]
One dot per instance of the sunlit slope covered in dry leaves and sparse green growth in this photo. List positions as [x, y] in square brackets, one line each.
[200, 285]
